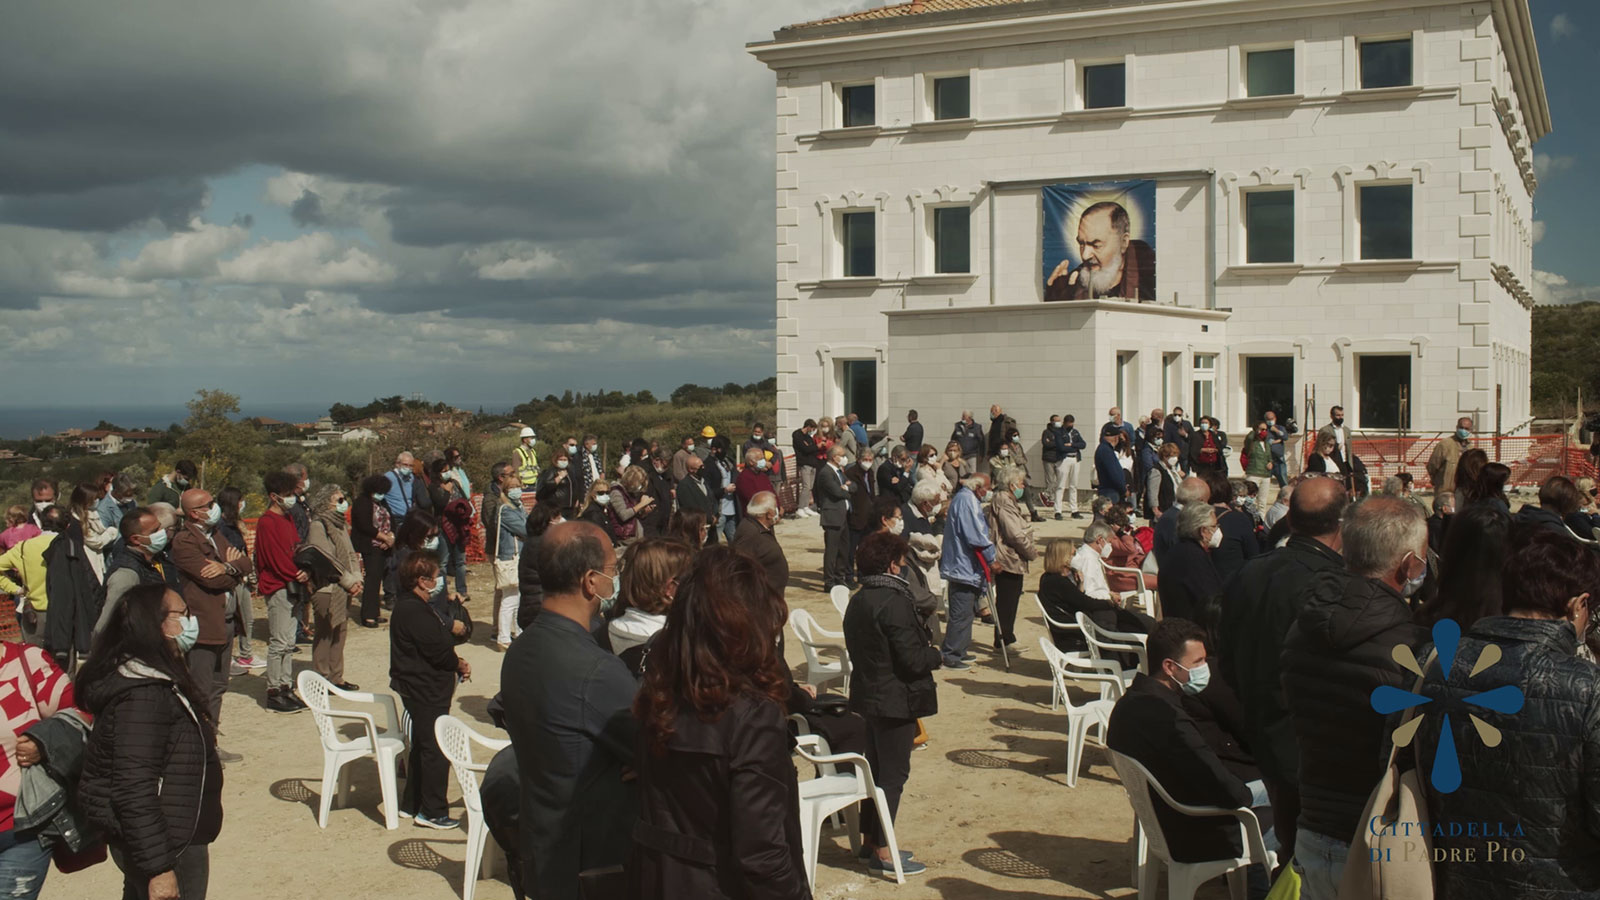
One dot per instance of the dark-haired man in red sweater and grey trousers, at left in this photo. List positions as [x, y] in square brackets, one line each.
[276, 571]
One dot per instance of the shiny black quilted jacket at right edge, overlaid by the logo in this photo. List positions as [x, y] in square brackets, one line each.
[1545, 776]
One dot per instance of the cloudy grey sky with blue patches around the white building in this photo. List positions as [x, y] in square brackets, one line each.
[479, 201]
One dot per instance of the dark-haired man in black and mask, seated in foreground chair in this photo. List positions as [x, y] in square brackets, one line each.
[1153, 725]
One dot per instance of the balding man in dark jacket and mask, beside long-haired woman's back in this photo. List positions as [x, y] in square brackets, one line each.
[570, 720]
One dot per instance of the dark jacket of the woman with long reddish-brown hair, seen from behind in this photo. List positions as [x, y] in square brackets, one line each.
[721, 811]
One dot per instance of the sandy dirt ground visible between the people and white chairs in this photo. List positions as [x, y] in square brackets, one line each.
[988, 806]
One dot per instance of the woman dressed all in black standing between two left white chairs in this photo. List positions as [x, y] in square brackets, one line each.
[425, 670]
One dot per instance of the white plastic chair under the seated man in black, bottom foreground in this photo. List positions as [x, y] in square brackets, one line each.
[1183, 880]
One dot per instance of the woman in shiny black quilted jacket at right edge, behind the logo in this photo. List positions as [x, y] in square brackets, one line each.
[1543, 766]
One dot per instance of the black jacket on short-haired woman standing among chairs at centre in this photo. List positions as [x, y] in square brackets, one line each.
[892, 656]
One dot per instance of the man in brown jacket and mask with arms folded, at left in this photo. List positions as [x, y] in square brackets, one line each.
[196, 548]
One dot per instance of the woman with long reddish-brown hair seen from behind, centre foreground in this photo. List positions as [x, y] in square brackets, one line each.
[713, 758]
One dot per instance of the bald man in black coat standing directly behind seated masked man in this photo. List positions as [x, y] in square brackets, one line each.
[1257, 614]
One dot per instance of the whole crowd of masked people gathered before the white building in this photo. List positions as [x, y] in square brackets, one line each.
[644, 683]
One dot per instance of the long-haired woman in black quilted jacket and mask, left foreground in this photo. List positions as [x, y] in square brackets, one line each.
[151, 779]
